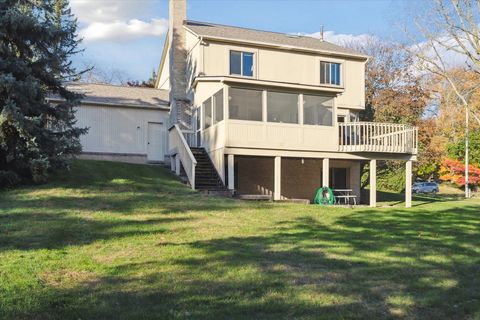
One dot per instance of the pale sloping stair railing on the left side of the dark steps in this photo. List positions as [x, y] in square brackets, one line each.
[180, 148]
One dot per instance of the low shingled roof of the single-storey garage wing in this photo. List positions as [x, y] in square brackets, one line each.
[113, 95]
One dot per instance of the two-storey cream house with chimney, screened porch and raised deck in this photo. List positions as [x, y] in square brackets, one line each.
[273, 114]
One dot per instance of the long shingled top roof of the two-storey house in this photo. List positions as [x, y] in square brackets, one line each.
[267, 38]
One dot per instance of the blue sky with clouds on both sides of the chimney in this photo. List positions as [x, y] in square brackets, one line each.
[127, 36]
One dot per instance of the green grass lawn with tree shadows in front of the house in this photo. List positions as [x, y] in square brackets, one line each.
[120, 241]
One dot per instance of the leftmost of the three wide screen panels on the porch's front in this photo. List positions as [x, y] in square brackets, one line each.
[245, 104]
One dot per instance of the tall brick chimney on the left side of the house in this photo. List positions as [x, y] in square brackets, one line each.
[180, 108]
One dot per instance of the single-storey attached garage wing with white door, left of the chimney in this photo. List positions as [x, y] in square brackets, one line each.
[125, 123]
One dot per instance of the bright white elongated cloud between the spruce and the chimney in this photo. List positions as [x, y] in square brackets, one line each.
[123, 30]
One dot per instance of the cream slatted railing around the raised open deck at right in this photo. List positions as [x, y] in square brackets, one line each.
[377, 137]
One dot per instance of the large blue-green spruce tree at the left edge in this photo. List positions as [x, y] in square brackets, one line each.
[37, 40]
